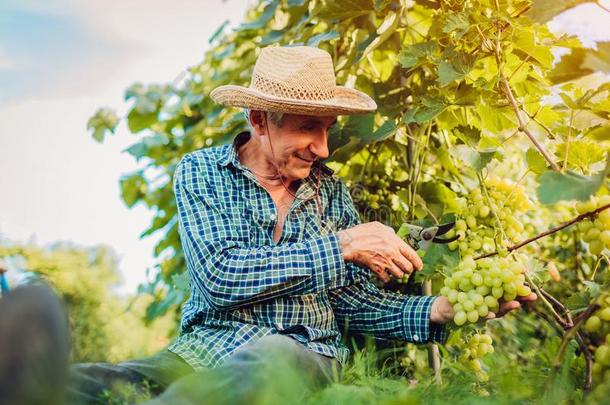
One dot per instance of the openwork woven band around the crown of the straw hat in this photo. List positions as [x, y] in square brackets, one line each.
[301, 92]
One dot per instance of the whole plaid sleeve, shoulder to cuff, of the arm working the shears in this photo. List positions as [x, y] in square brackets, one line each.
[227, 272]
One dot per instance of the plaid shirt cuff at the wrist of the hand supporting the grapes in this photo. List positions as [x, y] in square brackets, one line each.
[416, 321]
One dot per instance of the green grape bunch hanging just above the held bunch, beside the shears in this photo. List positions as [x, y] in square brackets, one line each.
[478, 228]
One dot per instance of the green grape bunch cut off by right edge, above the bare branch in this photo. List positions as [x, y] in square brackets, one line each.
[597, 232]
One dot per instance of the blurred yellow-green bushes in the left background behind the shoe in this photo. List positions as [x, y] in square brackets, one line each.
[104, 327]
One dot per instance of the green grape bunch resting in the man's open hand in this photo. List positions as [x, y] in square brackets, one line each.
[475, 288]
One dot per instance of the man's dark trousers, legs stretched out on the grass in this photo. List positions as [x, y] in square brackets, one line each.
[275, 369]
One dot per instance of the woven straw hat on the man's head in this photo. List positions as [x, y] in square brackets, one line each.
[296, 80]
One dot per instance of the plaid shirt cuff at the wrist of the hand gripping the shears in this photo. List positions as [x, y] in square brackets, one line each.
[329, 270]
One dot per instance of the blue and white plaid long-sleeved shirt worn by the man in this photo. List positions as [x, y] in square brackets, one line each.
[245, 286]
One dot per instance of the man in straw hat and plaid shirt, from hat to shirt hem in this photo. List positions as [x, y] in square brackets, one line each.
[272, 240]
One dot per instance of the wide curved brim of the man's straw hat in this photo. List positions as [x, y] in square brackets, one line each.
[346, 101]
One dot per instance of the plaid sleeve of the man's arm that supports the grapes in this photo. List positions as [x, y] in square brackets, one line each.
[361, 307]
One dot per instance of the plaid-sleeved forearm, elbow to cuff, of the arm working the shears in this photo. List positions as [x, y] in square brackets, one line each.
[230, 276]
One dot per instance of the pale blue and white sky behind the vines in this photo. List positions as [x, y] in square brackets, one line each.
[60, 60]
